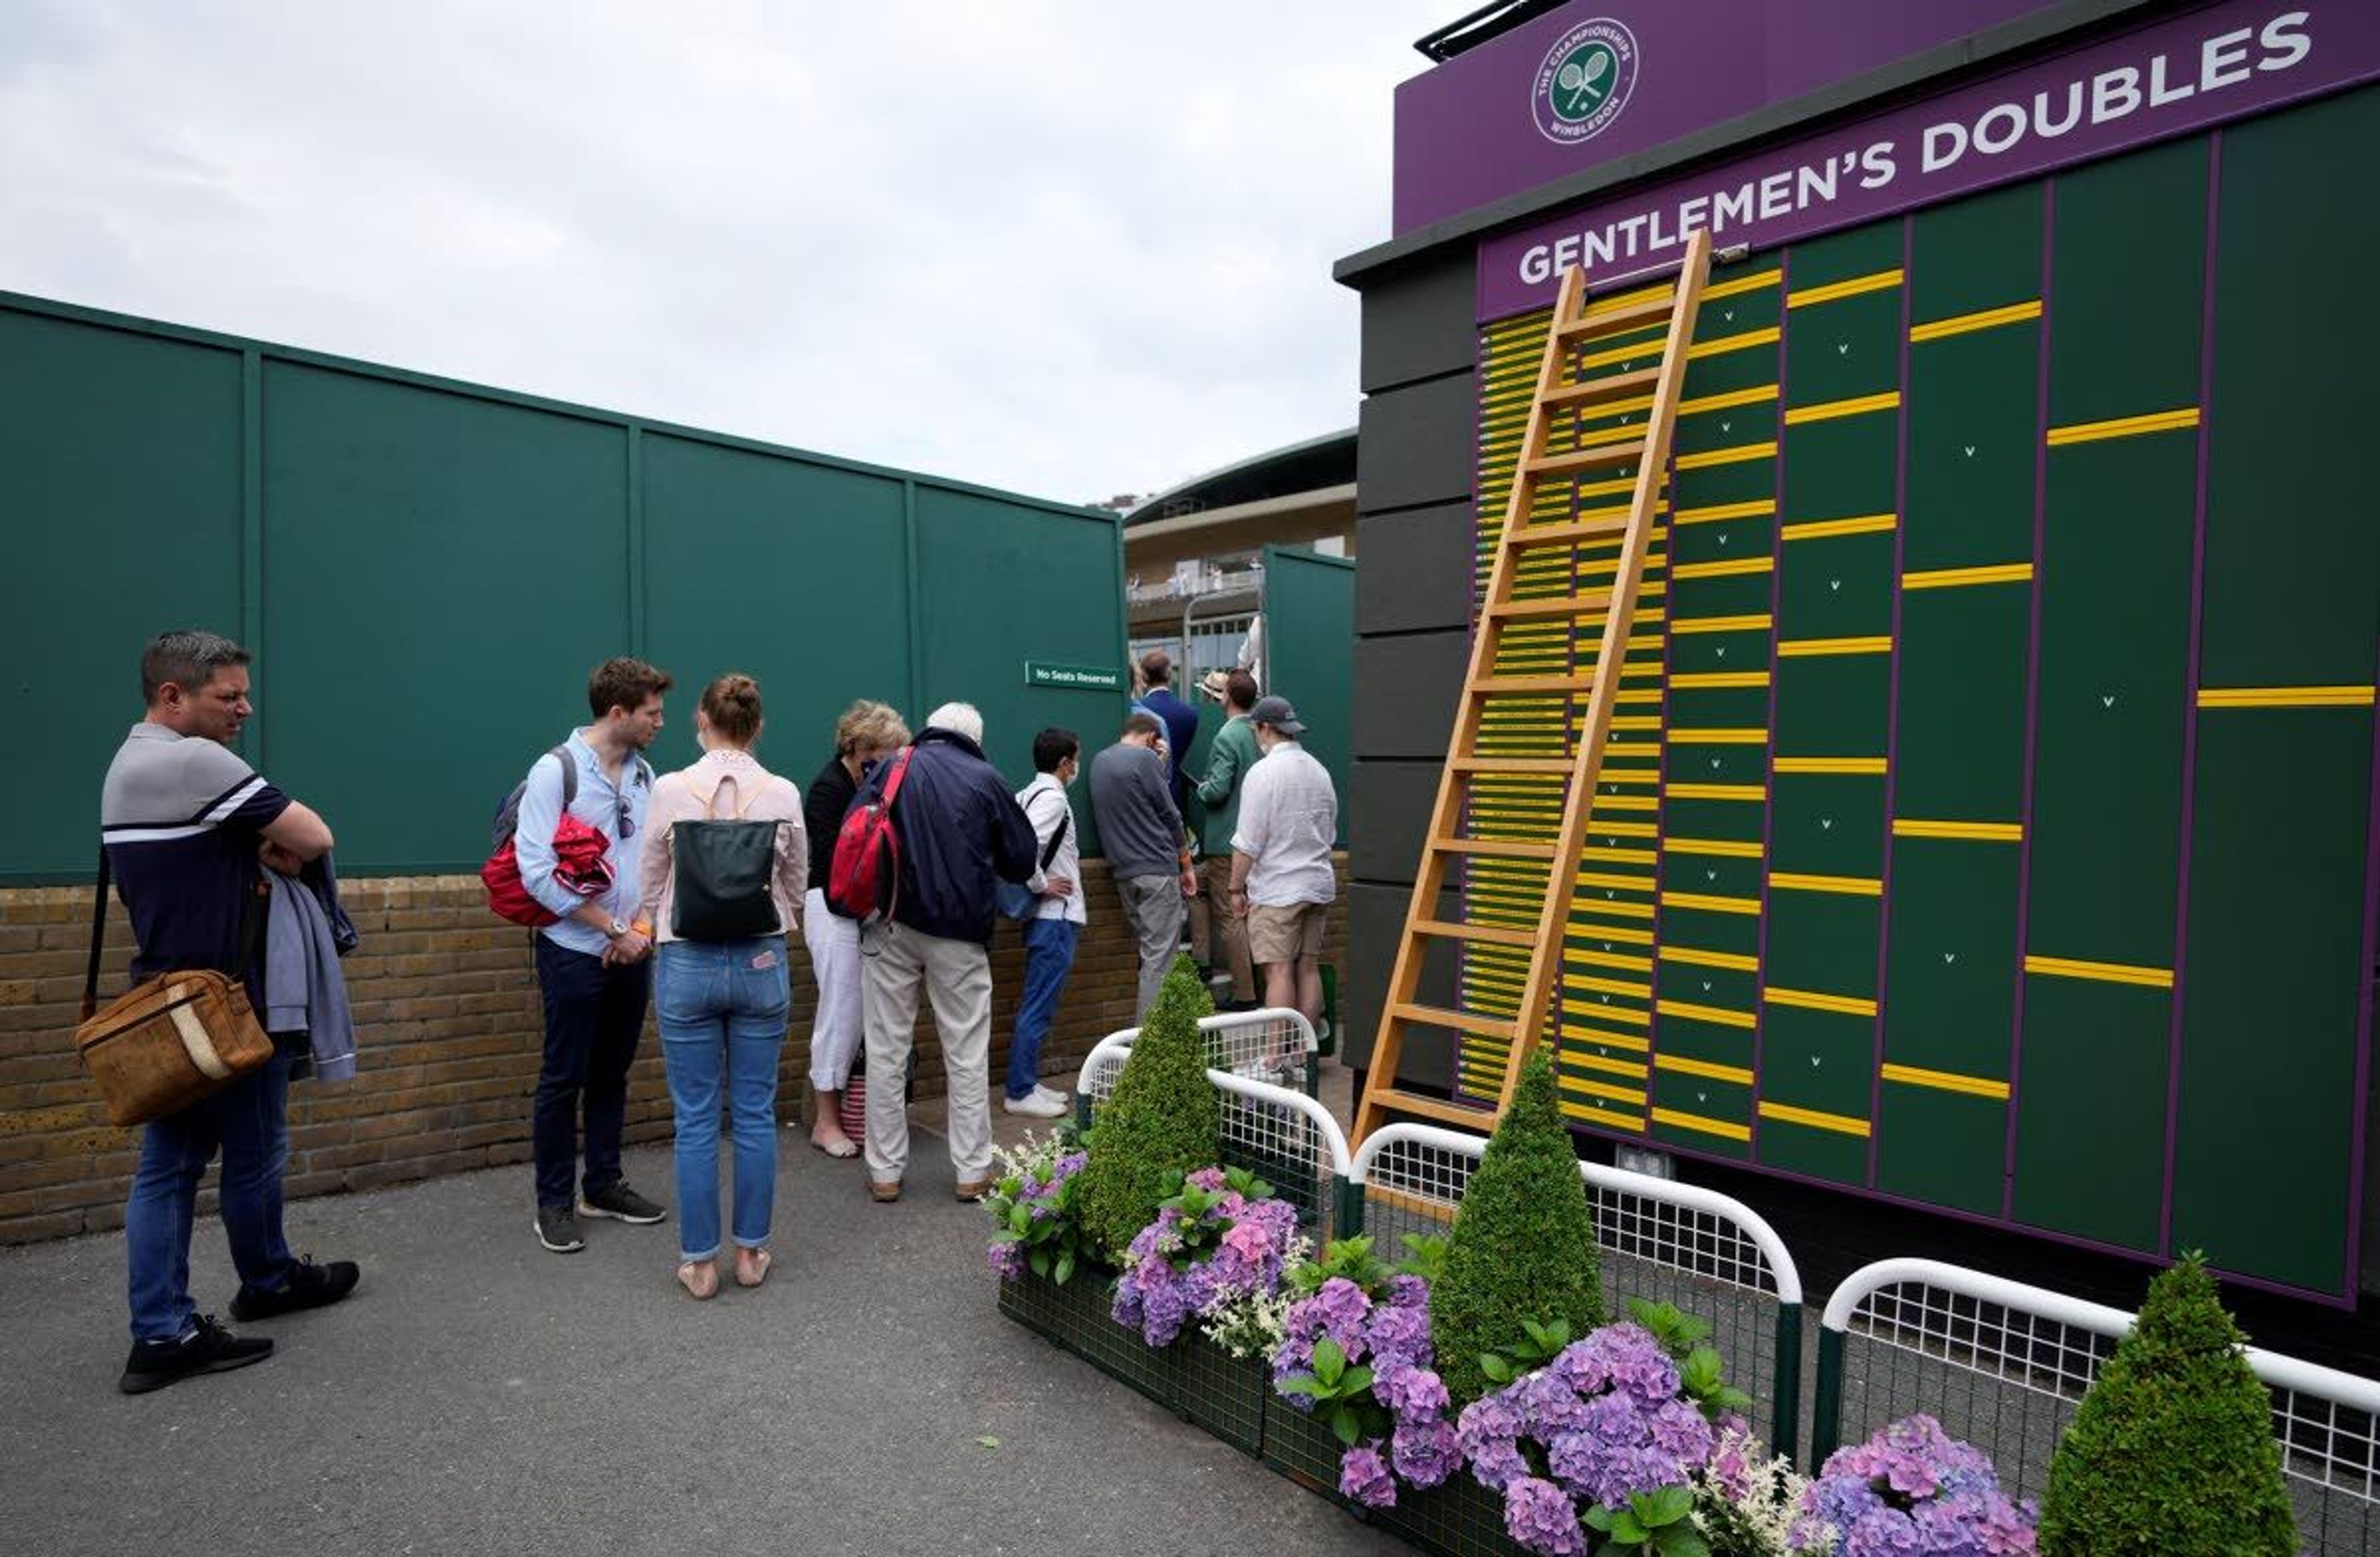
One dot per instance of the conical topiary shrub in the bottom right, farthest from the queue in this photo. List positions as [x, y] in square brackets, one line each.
[2172, 1451]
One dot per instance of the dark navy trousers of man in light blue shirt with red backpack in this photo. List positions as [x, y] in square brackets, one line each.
[594, 1018]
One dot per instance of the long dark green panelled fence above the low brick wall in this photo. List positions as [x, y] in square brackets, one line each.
[427, 573]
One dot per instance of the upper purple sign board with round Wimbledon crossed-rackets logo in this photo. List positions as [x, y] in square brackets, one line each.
[1603, 80]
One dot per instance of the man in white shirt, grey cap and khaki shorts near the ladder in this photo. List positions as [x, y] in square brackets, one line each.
[1282, 875]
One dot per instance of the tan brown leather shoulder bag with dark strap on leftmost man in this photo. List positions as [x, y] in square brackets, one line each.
[173, 1039]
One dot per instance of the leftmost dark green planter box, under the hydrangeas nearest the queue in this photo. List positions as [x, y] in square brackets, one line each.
[1194, 1377]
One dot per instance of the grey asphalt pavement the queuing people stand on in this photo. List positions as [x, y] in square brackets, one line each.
[482, 1394]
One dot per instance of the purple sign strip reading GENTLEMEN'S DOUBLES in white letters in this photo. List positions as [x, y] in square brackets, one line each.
[2169, 80]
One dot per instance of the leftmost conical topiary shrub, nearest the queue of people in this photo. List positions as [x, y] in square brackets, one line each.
[1163, 1118]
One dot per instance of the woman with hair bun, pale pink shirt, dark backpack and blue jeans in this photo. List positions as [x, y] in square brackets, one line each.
[725, 861]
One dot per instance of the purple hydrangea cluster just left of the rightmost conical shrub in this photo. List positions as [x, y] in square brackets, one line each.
[1915, 1492]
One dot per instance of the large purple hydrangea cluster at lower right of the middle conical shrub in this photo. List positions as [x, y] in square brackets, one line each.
[1610, 1422]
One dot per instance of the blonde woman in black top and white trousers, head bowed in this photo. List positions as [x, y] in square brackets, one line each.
[865, 734]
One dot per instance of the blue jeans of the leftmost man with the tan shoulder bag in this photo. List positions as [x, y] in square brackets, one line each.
[249, 1120]
